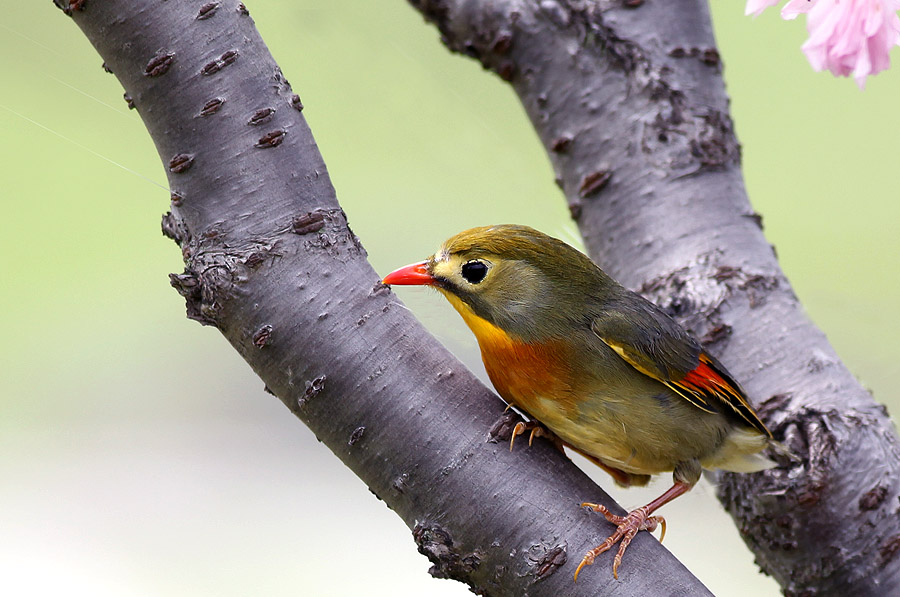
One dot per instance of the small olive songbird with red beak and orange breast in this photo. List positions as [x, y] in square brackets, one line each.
[606, 371]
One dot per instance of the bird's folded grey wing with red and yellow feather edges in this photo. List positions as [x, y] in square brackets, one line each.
[654, 344]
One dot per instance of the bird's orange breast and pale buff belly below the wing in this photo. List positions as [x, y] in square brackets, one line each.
[614, 413]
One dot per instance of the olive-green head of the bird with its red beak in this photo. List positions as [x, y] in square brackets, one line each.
[526, 283]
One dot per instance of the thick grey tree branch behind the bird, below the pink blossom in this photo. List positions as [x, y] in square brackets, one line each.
[628, 99]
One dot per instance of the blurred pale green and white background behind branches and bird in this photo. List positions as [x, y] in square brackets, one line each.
[139, 454]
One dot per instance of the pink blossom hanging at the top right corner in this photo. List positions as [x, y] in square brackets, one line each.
[848, 37]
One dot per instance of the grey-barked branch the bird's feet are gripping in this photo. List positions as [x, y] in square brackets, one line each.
[271, 262]
